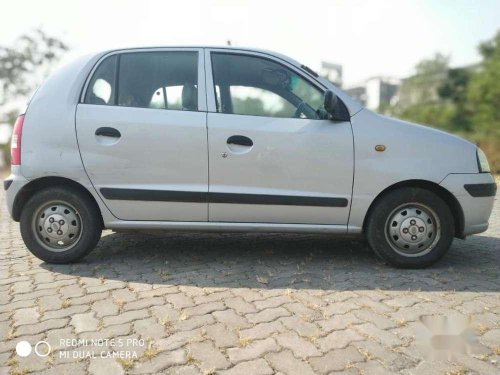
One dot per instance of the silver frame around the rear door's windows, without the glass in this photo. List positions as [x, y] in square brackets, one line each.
[202, 99]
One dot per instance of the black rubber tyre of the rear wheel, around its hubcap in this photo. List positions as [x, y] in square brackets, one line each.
[89, 221]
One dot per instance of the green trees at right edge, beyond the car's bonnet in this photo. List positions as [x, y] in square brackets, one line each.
[461, 100]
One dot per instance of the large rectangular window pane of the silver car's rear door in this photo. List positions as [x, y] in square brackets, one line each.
[162, 80]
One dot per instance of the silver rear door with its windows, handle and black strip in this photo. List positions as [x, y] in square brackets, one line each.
[141, 129]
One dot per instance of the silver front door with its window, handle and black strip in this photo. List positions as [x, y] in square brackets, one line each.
[274, 157]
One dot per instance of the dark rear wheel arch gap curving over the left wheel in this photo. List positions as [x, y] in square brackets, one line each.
[38, 184]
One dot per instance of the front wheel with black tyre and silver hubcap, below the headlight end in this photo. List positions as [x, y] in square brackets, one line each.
[378, 231]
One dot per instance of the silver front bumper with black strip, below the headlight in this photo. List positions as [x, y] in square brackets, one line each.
[476, 194]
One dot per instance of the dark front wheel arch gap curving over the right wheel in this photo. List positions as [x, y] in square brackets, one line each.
[444, 194]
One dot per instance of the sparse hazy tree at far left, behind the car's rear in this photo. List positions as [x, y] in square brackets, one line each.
[22, 68]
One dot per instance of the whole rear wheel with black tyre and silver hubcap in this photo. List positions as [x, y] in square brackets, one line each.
[60, 225]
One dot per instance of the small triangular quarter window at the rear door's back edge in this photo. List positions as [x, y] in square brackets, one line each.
[101, 89]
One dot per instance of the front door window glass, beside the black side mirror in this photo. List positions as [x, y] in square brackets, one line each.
[249, 85]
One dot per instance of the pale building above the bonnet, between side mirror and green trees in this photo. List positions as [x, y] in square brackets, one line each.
[375, 93]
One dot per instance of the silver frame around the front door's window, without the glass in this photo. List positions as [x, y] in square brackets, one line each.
[209, 76]
